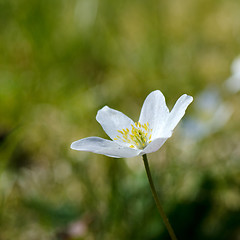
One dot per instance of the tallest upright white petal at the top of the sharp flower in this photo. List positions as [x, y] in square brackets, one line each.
[155, 112]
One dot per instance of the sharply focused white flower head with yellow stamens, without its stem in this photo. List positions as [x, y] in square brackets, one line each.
[129, 139]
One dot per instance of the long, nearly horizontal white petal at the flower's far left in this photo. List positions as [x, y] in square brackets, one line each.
[105, 147]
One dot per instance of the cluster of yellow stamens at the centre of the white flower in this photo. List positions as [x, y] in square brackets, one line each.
[139, 136]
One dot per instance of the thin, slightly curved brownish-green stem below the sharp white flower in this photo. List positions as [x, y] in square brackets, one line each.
[157, 201]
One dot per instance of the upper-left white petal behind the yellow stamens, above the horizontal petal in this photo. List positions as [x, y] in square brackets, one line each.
[112, 120]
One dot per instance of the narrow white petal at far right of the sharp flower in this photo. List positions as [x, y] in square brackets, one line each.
[177, 112]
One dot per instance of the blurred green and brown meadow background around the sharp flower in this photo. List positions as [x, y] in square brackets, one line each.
[60, 62]
